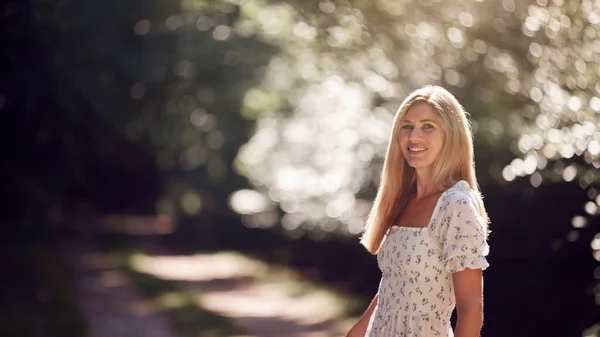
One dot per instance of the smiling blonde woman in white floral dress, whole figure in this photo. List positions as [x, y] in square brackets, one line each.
[428, 225]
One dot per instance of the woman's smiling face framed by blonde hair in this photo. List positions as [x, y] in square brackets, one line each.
[421, 136]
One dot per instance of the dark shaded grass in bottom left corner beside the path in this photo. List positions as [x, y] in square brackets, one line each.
[37, 297]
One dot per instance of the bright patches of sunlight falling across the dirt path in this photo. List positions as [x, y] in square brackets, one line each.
[266, 293]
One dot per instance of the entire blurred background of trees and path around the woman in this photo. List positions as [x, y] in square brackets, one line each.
[204, 167]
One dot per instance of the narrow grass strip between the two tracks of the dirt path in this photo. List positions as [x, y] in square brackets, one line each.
[178, 304]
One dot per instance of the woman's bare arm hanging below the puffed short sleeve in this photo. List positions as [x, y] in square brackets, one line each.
[468, 290]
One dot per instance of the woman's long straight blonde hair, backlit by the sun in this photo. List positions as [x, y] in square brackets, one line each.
[397, 183]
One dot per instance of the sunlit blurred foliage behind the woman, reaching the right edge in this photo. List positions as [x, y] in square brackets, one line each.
[524, 71]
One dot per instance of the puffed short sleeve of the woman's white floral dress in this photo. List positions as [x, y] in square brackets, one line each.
[462, 233]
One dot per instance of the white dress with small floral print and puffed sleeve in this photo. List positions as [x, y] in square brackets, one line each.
[416, 295]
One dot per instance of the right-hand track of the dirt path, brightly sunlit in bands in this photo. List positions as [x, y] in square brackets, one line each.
[262, 309]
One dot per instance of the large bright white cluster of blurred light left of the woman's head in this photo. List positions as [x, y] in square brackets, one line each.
[331, 124]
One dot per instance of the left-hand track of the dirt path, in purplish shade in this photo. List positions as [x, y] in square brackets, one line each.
[111, 306]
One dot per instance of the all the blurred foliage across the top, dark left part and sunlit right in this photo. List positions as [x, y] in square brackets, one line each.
[297, 97]
